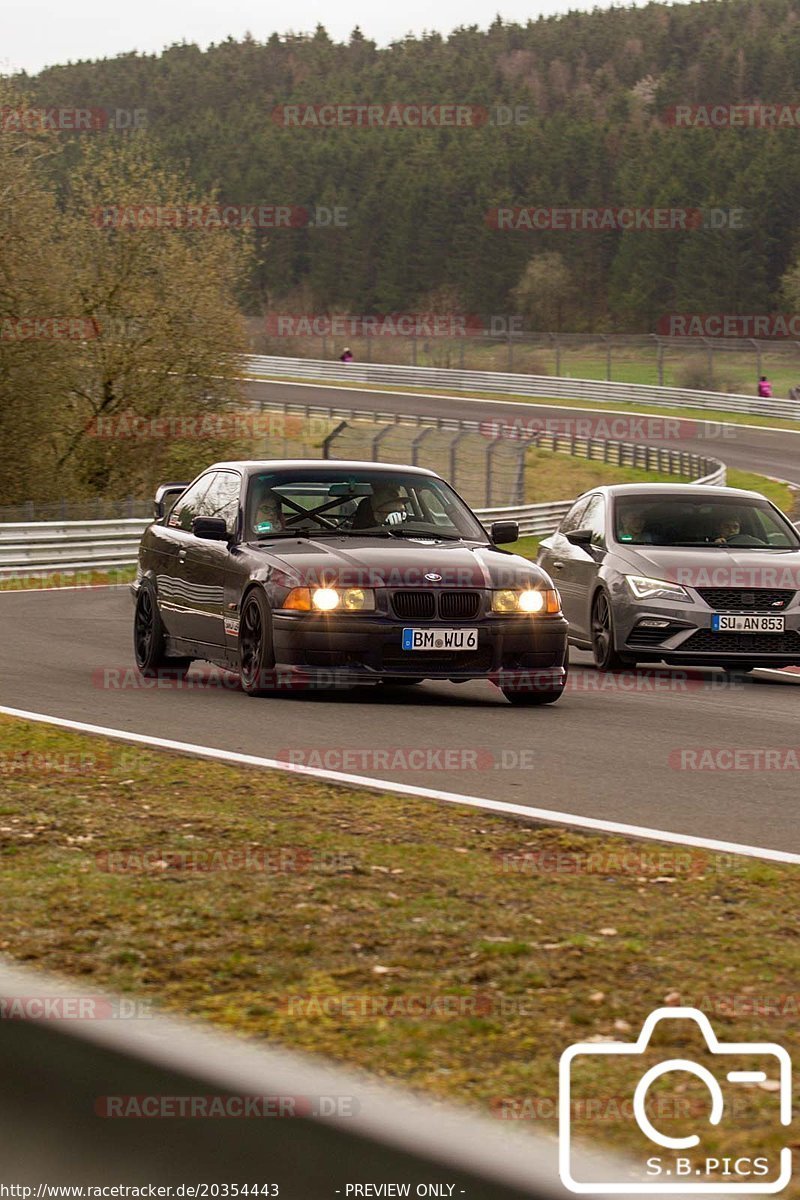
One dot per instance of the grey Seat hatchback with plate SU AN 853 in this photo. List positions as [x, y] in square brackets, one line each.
[678, 574]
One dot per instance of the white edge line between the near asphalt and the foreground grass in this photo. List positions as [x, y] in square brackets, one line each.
[430, 794]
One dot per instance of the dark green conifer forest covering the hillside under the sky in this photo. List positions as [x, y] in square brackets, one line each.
[596, 89]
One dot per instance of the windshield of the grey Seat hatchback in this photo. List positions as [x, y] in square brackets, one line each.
[695, 521]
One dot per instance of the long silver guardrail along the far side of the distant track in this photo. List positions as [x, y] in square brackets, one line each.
[501, 383]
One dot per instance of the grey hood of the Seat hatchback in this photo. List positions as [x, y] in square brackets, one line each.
[736, 567]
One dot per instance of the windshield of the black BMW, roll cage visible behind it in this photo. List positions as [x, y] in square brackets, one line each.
[333, 502]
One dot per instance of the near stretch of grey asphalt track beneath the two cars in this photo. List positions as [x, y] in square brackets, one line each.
[615, 748]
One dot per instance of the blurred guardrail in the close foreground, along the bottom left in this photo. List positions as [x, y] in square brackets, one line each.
[67, 1081]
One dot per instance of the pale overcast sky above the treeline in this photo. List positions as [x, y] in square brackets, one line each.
[40, 33]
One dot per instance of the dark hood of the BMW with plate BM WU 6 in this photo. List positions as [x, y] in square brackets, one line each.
[395, 562]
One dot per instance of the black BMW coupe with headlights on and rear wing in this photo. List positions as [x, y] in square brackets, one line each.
[328, 574]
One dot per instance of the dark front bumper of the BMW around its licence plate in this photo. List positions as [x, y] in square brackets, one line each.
[369, 647]
